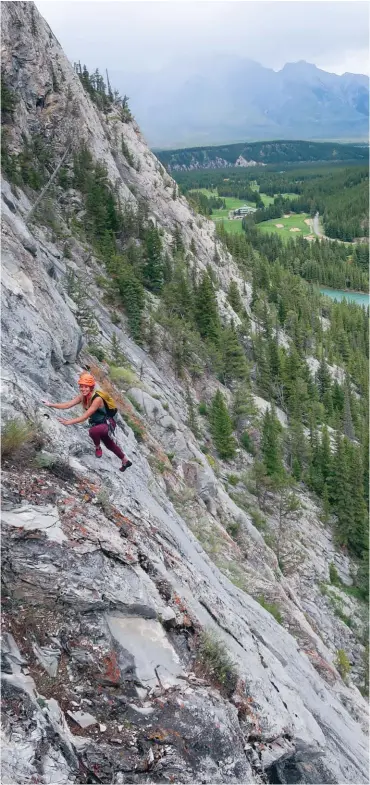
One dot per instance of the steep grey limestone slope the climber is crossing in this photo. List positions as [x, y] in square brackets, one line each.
[109, 580]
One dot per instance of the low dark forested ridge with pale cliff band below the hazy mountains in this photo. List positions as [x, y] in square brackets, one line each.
[275, 152]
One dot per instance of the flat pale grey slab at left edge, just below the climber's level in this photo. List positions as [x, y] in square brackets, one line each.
[45, 519]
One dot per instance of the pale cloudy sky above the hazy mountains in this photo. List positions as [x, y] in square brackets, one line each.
[142, 36]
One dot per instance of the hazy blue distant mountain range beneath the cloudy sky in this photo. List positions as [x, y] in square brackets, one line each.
[229, 99]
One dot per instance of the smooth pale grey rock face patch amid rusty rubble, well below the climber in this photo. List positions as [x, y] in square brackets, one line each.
[146, 640]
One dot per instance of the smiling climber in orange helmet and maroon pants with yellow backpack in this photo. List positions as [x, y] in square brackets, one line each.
[99, 414]
